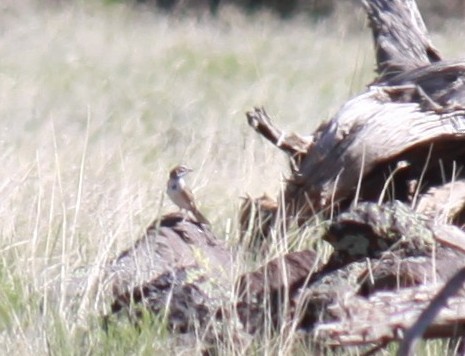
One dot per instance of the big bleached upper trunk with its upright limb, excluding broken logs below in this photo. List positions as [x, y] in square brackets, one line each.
[407, 126]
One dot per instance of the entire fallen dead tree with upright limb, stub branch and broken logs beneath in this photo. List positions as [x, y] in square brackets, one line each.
[402, 140]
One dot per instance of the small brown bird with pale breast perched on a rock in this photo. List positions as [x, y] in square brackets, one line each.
[181, 195]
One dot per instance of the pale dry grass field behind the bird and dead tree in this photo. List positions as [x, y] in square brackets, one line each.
[97, 103]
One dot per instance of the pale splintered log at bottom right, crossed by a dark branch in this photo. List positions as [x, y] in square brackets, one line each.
[384, 316]
